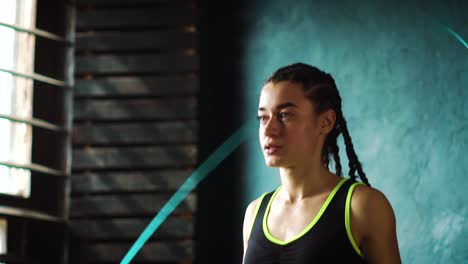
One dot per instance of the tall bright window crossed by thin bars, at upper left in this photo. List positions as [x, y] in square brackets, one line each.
[16, 55]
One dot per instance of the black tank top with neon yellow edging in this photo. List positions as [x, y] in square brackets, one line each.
[327, 239]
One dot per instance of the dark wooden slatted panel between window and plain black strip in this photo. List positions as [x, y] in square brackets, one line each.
[134, 128]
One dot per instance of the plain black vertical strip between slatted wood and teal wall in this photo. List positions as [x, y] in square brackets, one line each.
[220, 212]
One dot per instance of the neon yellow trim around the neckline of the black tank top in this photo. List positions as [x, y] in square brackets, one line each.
[314, 221]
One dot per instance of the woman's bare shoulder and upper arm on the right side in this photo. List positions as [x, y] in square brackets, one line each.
[373, 220]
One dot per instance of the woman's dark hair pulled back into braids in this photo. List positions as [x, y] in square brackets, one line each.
[321, 89]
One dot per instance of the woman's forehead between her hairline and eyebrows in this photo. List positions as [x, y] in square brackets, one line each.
[274, 94]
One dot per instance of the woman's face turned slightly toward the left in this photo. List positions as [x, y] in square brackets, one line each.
[289, 128]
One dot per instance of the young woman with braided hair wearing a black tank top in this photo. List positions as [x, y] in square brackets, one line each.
[315, 216]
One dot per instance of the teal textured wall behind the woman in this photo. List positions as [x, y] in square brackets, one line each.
[403, 79]
